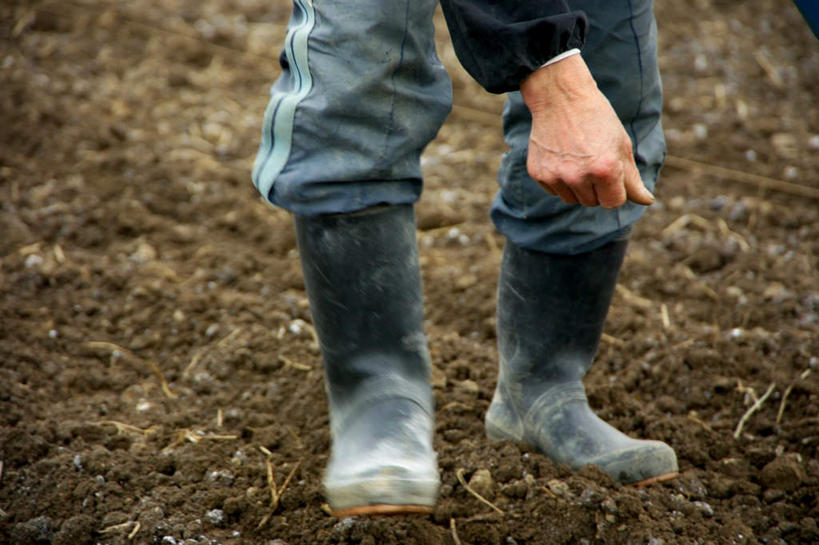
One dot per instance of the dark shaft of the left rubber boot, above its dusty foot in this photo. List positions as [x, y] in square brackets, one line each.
[363, 281]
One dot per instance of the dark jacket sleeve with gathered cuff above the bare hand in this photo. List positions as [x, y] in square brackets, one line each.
[501, 42]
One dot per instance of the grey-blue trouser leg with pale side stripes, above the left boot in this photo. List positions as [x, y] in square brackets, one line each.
[360, 94]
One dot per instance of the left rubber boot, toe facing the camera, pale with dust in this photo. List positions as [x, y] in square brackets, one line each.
[362, 277]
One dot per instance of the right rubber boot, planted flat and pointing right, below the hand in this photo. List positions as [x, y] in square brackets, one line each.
[551, 310]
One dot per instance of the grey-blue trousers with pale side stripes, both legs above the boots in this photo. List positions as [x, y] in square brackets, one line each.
[362, 92]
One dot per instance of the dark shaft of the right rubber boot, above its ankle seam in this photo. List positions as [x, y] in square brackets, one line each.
[551, 310]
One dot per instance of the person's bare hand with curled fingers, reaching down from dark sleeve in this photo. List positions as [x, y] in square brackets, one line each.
[578, 148]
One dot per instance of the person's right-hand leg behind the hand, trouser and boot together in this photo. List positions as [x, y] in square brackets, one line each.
[561, 262]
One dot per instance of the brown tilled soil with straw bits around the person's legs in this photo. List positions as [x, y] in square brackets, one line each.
[156, 358]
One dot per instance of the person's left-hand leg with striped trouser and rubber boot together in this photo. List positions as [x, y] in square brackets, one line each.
[361, 94]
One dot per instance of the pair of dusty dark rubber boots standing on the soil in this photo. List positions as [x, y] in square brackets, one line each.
[362, 277]
